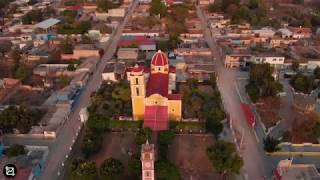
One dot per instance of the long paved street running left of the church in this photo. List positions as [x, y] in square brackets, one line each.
[69, 131]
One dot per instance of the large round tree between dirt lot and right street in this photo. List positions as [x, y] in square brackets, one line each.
[223, 156]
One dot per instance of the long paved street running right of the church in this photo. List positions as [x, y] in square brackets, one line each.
[252, 153]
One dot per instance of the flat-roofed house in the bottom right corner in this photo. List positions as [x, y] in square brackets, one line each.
[286, 170]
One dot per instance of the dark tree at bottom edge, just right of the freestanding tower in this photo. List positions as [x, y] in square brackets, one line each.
[166, 170]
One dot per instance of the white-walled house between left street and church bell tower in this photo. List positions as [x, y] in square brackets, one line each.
[114, 71]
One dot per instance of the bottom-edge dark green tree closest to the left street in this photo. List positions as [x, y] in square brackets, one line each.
[83, 170]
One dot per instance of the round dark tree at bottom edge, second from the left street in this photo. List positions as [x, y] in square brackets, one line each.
[111, 169]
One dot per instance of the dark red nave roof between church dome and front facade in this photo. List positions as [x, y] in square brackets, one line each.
[158, 84]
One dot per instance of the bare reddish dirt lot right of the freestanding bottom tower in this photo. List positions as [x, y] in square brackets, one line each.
[188, 152]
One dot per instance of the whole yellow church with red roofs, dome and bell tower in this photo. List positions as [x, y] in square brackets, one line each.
[151, 93]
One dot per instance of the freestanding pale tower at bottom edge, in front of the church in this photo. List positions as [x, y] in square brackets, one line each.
[147, 160]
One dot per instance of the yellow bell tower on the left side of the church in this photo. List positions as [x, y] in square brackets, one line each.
[138, 91]
